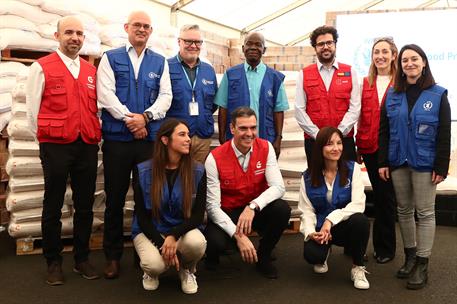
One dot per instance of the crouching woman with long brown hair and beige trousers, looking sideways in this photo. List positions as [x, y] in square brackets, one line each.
[170, 196]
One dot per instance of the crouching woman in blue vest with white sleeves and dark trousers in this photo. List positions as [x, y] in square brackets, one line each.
[332, 201]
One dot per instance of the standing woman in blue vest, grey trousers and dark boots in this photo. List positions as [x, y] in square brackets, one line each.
[414, 150]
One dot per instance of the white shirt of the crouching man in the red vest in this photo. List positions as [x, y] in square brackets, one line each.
[273, 176]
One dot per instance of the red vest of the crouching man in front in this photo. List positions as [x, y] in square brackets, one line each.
[239, 188]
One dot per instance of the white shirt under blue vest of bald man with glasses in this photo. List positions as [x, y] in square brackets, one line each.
[106, 88]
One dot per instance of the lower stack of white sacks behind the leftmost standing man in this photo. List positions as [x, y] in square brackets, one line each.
[26, 183]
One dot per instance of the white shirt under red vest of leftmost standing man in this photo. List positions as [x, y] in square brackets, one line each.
[35, 86]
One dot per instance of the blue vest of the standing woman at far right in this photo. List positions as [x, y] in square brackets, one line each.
[413, 136]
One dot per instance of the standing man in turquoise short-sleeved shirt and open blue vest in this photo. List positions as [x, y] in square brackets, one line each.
[257, 86]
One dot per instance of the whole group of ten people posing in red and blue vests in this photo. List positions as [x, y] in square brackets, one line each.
[157, 123]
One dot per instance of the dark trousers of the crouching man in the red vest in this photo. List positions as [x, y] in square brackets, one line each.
[269, 223]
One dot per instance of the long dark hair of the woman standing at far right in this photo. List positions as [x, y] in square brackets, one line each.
[425, 81]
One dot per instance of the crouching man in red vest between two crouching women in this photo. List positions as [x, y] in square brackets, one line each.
[244, 193]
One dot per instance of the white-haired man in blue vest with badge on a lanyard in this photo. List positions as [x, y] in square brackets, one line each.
[194, 86]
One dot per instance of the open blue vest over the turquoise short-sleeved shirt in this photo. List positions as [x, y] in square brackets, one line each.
[238, 95]
